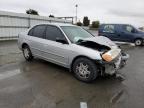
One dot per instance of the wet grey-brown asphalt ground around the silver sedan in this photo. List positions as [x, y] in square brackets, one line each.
[40, 84]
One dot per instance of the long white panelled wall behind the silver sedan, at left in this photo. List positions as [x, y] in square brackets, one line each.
[13, 23]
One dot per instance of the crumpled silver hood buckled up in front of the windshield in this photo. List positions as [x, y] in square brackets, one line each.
[102, 41]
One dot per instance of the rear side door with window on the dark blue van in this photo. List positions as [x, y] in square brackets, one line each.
[109, 31]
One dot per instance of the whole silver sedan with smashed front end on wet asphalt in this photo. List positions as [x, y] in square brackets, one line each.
[73, 47]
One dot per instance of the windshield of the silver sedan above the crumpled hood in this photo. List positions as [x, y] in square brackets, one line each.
[75, 33]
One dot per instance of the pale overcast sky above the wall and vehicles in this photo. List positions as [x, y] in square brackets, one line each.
[107, 11]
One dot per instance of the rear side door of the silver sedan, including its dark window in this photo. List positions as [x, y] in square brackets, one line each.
[36, 39]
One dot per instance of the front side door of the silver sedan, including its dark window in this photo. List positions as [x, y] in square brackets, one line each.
[56, 52]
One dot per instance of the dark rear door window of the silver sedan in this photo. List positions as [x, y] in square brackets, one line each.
[38, 31]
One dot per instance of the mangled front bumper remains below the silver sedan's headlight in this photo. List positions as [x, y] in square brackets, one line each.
[113, 67]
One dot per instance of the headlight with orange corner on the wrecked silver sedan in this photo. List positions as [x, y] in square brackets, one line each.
[110, 55]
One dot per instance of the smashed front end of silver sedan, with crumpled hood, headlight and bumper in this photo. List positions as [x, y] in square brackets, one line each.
[113, 58]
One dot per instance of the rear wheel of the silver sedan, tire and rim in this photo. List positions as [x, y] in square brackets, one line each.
[27, 53]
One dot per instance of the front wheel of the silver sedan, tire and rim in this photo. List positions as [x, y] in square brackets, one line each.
[85, 69]
